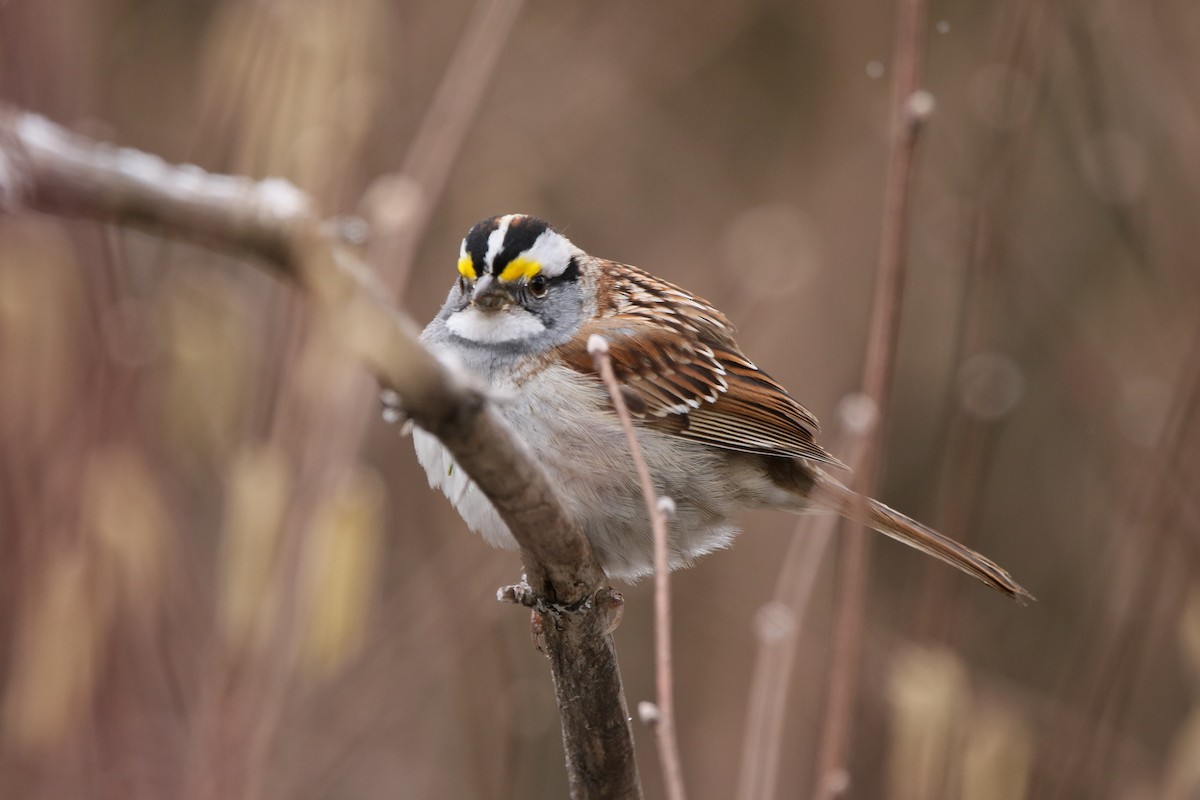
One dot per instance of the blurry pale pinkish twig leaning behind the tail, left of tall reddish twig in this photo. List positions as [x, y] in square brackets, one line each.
[778, 623]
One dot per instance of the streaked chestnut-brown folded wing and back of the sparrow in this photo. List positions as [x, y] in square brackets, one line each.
[683, 372]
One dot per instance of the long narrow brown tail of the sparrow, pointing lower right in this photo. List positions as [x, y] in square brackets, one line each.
[892, 524]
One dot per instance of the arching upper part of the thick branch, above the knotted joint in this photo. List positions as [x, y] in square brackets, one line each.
[53, 171]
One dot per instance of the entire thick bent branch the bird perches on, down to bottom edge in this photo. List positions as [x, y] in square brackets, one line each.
[49, 170]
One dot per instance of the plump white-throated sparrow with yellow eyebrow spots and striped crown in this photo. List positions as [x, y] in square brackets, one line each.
[719, 436]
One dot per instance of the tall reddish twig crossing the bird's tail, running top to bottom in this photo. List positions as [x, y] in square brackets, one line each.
[910, 110]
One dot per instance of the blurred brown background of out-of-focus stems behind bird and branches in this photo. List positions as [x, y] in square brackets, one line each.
[223, 576]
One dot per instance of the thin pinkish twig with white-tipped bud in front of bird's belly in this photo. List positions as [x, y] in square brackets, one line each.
[657, 508]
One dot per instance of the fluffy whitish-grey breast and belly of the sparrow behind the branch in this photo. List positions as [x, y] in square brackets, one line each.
[562, 418]
